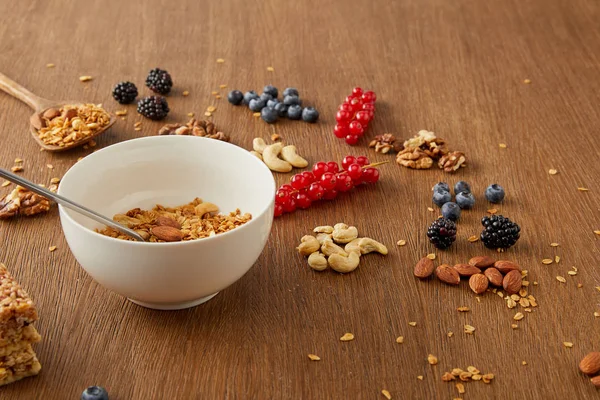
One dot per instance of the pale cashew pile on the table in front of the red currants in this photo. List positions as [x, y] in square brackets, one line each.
[323, 251]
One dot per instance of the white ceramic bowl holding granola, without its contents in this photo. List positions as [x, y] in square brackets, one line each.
[168, 170]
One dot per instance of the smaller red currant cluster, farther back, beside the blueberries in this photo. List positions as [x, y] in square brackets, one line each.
[354, 115]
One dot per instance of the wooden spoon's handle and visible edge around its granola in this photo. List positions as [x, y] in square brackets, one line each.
[40, 105]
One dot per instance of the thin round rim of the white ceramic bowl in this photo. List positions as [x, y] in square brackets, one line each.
[62, 209]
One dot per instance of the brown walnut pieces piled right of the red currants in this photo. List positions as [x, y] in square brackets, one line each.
[422, 150]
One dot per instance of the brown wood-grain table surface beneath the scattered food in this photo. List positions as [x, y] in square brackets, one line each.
[454, 67]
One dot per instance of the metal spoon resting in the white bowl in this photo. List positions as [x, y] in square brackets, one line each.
[69, 204]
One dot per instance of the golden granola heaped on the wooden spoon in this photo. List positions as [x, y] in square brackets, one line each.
[69, 124]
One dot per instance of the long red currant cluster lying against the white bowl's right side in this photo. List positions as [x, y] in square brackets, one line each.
[324, 182]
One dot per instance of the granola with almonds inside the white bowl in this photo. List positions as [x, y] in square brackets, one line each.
[195, 220]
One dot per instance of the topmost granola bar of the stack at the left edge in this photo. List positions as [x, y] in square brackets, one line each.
[16, 307]
